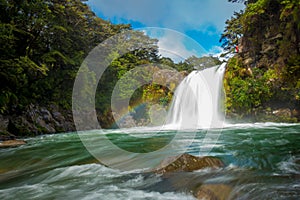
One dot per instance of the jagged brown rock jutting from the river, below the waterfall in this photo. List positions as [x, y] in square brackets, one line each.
[188, 163]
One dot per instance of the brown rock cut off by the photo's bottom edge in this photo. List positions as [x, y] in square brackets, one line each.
[213, 192]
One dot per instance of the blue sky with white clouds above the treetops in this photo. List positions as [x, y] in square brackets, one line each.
[186, 27]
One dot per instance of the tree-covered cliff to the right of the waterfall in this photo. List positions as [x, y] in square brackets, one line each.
[264, 76]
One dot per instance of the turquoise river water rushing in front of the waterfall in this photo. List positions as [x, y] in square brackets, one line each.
[262, 162]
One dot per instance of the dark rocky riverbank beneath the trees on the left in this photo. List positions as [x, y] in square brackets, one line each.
[36, 120]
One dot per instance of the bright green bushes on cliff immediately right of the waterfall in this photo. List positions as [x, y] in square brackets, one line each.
[247, 91]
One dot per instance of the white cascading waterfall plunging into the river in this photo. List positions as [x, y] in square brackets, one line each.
[196, 101]
